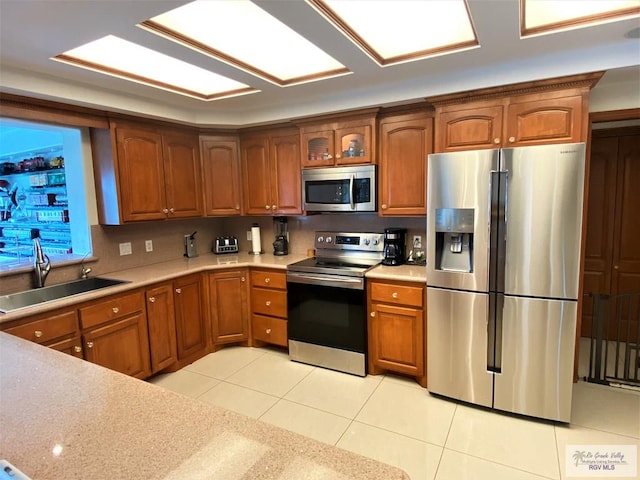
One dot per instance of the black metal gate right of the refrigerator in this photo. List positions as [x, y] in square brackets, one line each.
[614, 354]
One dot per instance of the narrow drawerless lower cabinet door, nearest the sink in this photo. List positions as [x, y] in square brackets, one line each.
[161, 322]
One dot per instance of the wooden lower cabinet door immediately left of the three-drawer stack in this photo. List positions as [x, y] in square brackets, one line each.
[228, 294]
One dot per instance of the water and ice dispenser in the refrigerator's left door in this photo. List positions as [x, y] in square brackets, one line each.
[454, 239]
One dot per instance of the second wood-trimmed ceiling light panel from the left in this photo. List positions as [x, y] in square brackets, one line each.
[243, 35]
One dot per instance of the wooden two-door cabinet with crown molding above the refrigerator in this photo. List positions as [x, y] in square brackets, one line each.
[532, 113]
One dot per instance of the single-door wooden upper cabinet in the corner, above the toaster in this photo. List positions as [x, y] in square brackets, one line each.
[221, 176]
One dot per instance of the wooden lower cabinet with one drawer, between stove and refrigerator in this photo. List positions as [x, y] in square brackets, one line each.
[397, 329]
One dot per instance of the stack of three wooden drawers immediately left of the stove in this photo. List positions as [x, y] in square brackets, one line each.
[269, 307]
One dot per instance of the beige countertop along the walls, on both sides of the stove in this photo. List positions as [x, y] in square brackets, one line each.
[158, 272]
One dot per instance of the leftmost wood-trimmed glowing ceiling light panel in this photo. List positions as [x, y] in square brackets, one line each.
[120, 58]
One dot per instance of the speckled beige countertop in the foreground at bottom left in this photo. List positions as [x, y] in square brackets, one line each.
[64, 418]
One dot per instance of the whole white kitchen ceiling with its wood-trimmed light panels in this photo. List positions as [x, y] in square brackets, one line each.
[361, 70]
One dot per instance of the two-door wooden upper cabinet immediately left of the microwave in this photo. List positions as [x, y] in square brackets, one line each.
[271, 173]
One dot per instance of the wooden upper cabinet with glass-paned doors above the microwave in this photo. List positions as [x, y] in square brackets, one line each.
[344, 140]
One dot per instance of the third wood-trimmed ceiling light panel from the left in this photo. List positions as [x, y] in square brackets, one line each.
[401, 30]
